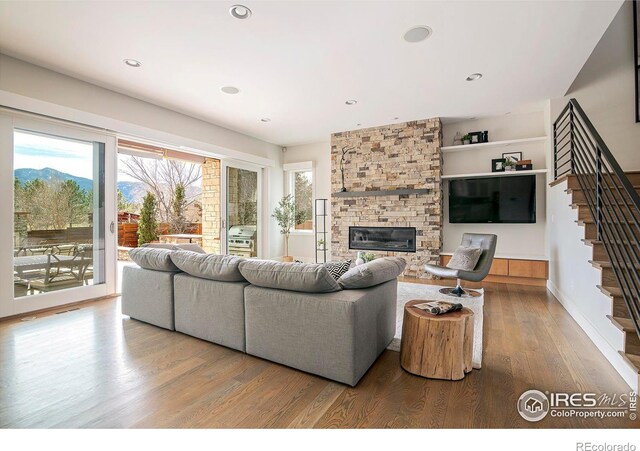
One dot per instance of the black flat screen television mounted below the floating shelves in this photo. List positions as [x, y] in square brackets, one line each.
[506, 199]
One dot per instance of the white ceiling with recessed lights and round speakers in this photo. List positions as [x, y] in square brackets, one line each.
[297, 62]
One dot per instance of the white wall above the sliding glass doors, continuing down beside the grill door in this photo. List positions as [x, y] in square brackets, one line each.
[32, 88]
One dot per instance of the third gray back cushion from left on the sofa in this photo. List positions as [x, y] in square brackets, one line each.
[305, 277]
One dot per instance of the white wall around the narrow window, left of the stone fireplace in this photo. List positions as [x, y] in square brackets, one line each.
[301, 244]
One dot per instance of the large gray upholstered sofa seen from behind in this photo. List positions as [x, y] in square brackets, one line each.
[295, 314]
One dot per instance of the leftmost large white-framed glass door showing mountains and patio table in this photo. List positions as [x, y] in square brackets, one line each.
[58, 208]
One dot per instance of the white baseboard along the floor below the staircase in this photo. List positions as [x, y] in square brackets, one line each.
[611, 354]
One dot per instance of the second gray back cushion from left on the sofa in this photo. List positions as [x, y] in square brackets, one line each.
[223, 268]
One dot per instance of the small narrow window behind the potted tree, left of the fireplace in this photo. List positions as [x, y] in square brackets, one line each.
[300, 186]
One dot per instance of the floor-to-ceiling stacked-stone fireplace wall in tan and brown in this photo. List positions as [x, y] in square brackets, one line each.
[398, 156]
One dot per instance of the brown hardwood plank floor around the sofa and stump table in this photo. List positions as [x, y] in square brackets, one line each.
[94, 368]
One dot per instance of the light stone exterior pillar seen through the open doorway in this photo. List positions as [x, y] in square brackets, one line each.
[211, 205]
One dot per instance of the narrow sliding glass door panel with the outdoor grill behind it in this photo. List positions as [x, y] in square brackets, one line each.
[241, 210]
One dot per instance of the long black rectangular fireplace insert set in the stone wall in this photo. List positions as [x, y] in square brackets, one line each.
[389, 239]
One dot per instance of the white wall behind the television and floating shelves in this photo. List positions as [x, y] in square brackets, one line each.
[514, 240]
